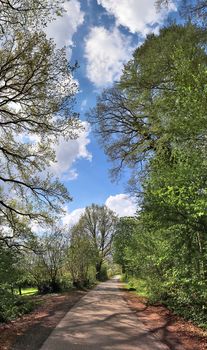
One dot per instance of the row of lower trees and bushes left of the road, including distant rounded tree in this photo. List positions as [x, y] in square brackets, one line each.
[60, 259]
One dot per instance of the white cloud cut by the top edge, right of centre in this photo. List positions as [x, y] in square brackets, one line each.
[136, 15]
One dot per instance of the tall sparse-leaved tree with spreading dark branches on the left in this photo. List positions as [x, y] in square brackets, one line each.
[36, 107]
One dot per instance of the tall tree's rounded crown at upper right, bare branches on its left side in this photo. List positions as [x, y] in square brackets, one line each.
[134, 119]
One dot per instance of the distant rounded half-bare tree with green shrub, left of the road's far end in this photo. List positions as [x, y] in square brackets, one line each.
[89, 250]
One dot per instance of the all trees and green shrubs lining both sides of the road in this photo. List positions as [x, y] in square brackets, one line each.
[152, 122]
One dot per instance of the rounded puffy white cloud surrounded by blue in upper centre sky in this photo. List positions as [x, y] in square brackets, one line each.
[105, 53]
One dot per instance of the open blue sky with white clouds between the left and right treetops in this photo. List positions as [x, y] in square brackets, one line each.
[101, 35]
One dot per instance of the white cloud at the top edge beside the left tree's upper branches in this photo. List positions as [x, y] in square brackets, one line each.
[64, 27]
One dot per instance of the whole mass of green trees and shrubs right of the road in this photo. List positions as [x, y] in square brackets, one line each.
[153, 121]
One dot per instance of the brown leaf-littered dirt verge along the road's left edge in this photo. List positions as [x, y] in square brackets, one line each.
[30, 331]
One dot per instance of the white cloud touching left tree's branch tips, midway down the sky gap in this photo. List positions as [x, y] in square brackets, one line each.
[68, 151]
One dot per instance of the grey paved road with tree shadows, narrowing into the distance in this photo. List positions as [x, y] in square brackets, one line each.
[102, 320]
